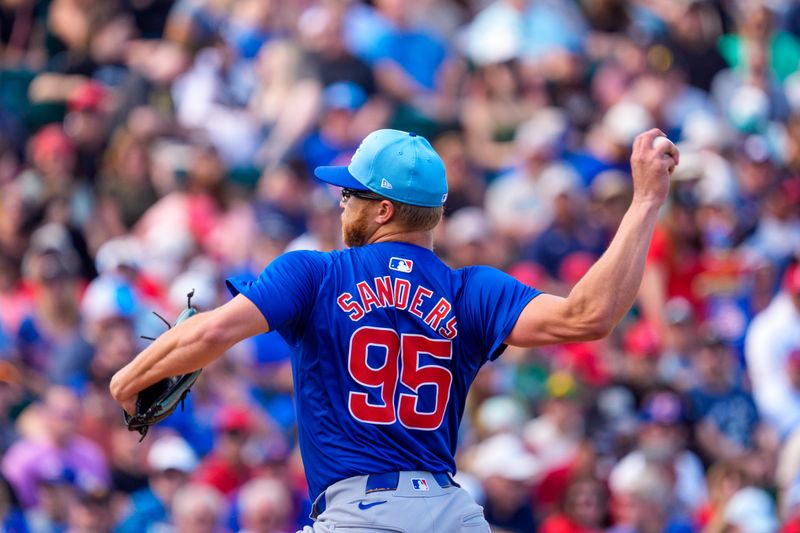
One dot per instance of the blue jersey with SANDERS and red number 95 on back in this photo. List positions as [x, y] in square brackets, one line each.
[386, 340]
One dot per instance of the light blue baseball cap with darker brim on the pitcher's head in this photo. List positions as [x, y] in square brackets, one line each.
[396, 164]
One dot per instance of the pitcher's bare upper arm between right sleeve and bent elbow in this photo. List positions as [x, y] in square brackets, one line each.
[549, 319]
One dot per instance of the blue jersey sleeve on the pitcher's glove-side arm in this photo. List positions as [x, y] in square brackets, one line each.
[285, 291]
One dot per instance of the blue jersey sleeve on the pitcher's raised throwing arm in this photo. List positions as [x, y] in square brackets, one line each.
[492, 303]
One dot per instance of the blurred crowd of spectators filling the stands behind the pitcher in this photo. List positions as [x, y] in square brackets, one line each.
[152, 147]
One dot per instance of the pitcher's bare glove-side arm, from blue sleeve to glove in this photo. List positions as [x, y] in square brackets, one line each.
[190, 345]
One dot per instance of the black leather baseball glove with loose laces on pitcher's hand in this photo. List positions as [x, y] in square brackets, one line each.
[159, 400]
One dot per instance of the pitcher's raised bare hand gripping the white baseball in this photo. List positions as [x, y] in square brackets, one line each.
[651, 167]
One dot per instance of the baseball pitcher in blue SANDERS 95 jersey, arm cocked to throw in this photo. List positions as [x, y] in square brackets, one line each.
[387, 338]
